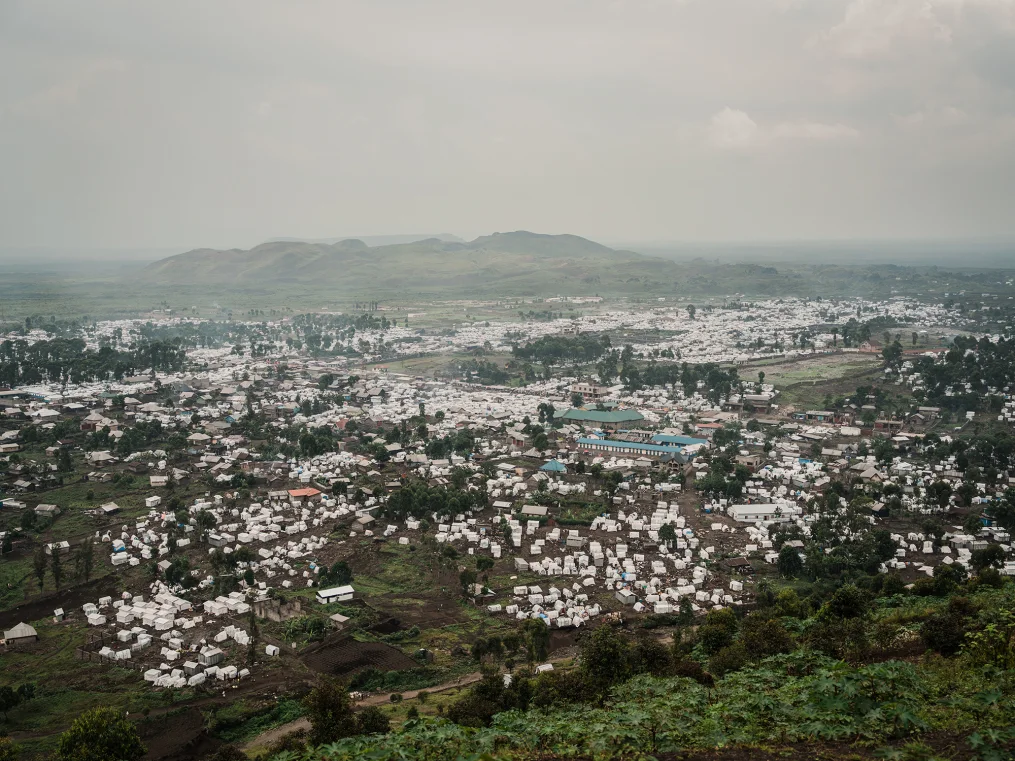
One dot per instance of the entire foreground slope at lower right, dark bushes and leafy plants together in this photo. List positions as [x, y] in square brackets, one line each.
[774, 678]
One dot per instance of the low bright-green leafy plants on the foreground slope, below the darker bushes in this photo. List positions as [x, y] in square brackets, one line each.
[804, 697]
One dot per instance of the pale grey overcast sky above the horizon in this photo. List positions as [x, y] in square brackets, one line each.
[225, 123]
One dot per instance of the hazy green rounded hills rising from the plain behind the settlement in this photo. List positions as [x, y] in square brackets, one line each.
[510, 263]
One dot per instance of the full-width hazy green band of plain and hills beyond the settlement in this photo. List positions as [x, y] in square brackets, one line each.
[269, 280]
